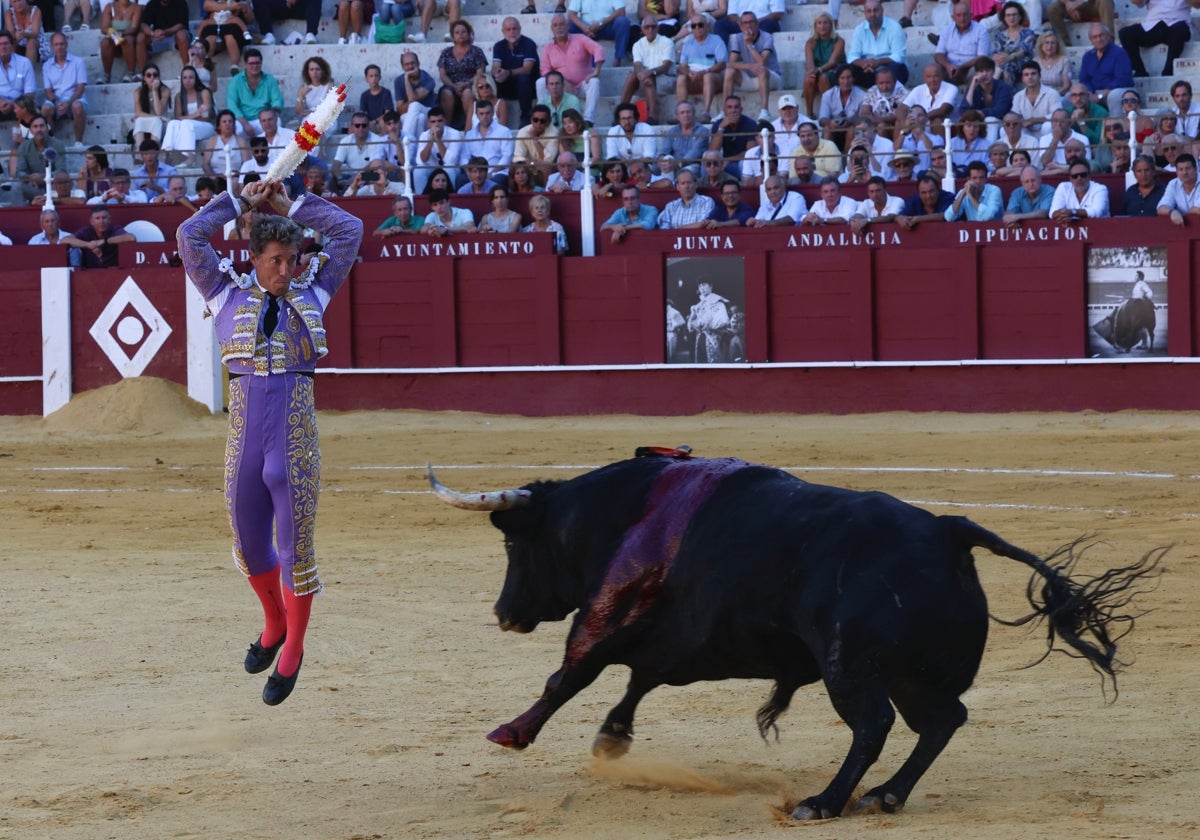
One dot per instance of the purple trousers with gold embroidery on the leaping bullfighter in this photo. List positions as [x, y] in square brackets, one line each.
[273, 477]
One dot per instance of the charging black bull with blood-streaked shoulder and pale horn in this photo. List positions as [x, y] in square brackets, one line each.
[693, 569]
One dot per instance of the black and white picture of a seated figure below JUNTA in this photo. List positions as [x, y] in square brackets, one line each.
[706, 311]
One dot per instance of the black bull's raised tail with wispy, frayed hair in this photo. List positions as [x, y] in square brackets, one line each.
[1090, 616]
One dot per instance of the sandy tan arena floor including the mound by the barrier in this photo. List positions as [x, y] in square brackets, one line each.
[125, 711]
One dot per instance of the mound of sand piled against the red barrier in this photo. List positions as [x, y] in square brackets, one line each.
[140, 405]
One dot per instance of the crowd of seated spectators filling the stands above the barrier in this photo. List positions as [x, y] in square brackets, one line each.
[518, 118]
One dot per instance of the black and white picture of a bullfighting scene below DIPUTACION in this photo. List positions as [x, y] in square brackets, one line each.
[1126, 303]
